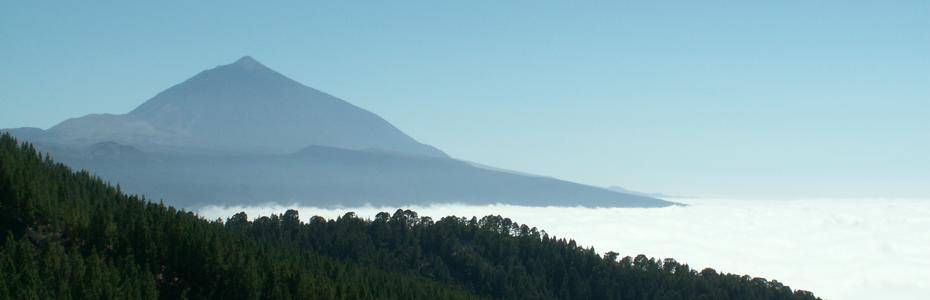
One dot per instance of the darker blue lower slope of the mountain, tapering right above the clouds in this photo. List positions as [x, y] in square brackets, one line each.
[324, 176]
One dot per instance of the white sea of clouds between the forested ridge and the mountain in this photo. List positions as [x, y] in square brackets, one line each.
[836, 248]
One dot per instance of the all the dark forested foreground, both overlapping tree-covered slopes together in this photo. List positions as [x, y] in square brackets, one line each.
[68, 235]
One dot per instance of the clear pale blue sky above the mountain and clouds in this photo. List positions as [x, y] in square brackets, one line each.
[707, 98]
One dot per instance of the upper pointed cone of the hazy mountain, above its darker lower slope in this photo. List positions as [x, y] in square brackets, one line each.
[243, 107]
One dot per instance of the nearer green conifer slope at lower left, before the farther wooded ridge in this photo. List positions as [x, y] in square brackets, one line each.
[67, 235]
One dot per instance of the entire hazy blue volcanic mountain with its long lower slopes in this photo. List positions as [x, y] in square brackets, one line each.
[245, 134]
